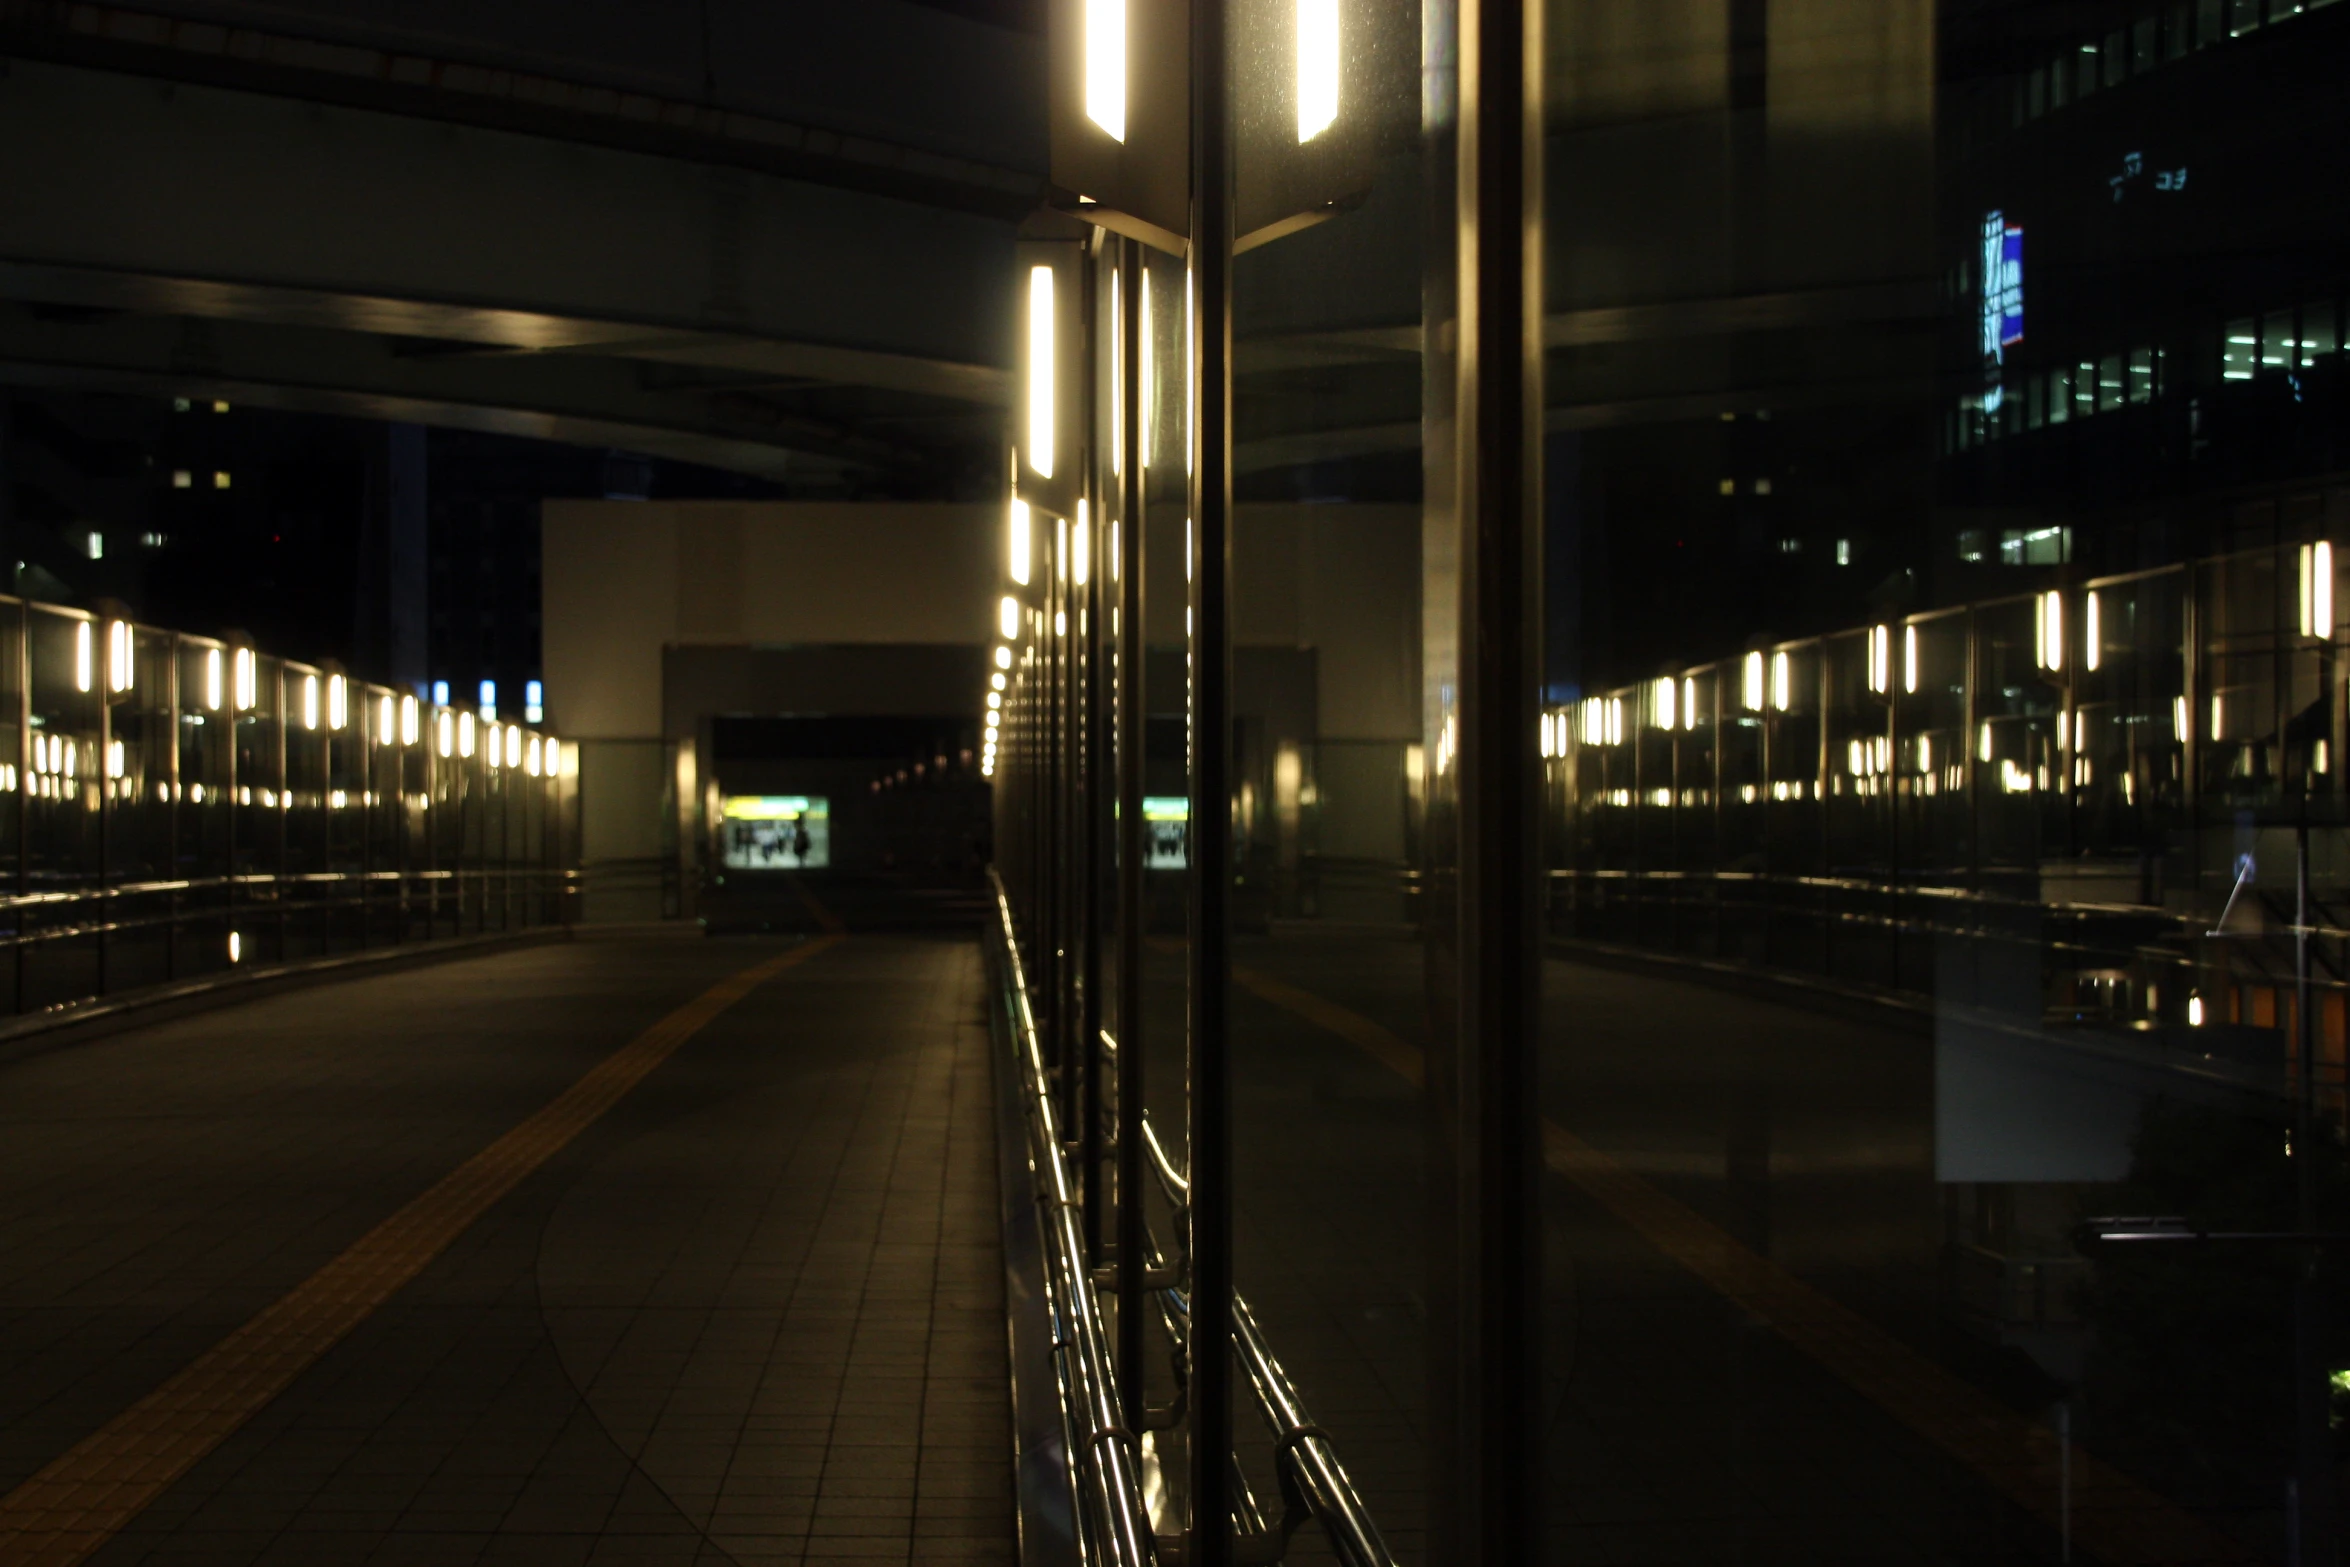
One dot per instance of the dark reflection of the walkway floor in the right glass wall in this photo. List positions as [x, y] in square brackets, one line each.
[1679, 1432]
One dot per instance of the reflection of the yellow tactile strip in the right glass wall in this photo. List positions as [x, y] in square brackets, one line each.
[2114, 1516]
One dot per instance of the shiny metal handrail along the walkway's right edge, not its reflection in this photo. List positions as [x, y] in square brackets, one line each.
[1103, 1453]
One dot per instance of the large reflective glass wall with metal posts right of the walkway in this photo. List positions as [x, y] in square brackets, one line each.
[1670, 708]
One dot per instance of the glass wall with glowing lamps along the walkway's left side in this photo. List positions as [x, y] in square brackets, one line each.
[177, 807]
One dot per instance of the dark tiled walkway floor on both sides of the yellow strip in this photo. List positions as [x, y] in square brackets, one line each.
[751, 1314]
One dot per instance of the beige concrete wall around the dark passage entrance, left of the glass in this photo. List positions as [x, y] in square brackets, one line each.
[659, 614]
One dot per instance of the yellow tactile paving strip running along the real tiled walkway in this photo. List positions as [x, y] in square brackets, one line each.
[83, 1498]
